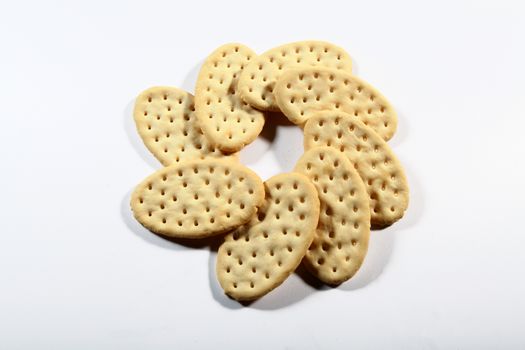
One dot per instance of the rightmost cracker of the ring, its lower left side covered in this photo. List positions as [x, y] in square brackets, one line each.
[373, 159]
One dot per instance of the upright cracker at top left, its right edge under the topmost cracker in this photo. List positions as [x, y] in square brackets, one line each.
[227, 121]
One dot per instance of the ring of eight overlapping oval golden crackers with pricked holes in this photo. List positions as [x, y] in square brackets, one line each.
[347, 181]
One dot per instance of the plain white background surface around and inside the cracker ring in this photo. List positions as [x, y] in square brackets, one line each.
[77, 272]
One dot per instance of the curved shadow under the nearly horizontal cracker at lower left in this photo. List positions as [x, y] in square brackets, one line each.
[160, 241]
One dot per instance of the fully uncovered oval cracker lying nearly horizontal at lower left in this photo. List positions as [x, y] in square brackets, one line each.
[197, 198]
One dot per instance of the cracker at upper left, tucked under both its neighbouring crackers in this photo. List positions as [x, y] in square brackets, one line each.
[167, 124]
